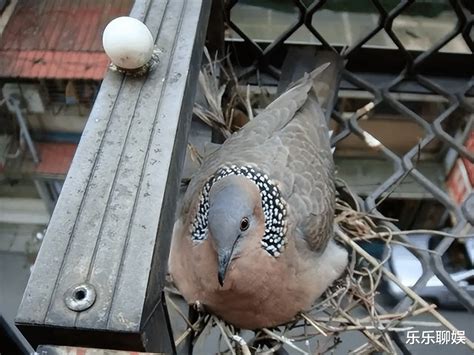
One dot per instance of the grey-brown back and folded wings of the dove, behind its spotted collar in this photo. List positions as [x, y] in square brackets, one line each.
[289, 140]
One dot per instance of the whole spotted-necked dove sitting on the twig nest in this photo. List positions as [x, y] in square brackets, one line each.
[253, 242]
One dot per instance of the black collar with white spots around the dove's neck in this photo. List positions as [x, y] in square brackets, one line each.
[273, 205]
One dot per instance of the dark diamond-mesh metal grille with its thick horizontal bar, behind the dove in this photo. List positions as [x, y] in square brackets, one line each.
[448, 76]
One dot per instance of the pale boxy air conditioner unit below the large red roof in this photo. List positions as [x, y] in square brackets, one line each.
[29, 95]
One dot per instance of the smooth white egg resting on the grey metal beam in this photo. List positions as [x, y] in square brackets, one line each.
[128, 42]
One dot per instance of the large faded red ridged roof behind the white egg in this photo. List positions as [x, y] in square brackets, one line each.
[58, 39]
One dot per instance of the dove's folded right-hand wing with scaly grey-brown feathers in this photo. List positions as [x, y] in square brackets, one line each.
[311, 163]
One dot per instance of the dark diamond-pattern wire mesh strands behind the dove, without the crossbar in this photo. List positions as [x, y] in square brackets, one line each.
[261, 61]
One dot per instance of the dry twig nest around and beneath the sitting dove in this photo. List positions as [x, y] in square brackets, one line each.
[350, 304]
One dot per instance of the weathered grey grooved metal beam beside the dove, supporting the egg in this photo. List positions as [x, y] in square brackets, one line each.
[112, 224]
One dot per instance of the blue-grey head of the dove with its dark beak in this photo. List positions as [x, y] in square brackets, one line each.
[235, 214]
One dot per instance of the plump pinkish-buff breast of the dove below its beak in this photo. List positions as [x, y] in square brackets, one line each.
[259, 290]
